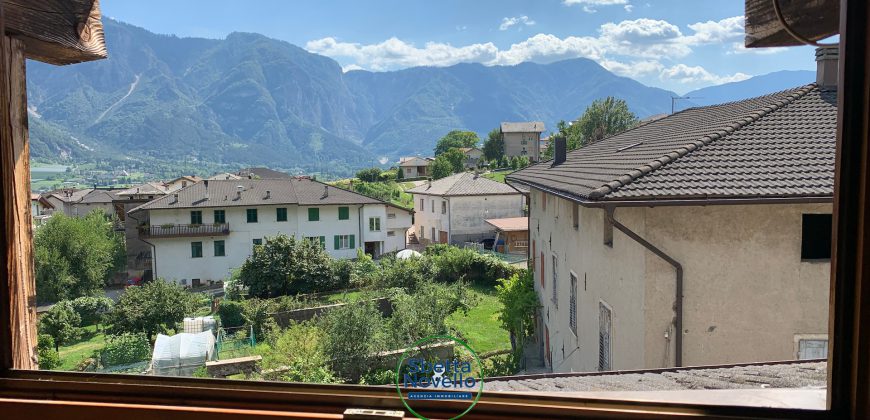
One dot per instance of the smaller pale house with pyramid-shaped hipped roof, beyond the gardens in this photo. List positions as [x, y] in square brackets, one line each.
[454, 209]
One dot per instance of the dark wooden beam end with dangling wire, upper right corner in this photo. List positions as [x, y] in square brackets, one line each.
[813, 19]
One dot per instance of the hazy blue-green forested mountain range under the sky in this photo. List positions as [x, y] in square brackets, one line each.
[248, 100]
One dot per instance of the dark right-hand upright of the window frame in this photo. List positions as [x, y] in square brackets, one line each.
[849, 355]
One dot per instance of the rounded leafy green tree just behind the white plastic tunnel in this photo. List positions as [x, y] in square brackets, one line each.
[152, 308]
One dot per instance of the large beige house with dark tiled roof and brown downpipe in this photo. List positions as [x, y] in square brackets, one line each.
[700, 238]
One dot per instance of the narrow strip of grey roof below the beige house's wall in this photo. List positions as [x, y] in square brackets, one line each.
[797, 374]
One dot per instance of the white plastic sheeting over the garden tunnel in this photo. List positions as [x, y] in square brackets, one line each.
[181, 354]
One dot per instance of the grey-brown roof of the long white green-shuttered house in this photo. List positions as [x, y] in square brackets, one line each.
[257, 192]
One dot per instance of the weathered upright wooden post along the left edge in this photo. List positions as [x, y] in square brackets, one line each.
[17, 287]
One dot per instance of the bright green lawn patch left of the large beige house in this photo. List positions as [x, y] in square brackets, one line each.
[480, 326]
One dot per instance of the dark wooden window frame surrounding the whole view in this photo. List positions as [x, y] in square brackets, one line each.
[27, 393]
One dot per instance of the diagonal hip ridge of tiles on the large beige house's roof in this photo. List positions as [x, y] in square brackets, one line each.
[656, 164]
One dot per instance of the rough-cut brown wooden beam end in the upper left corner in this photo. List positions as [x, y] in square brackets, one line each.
[57, 31]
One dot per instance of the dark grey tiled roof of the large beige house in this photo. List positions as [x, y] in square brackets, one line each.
[779, 145]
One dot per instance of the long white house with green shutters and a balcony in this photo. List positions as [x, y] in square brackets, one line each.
[202, 232]
